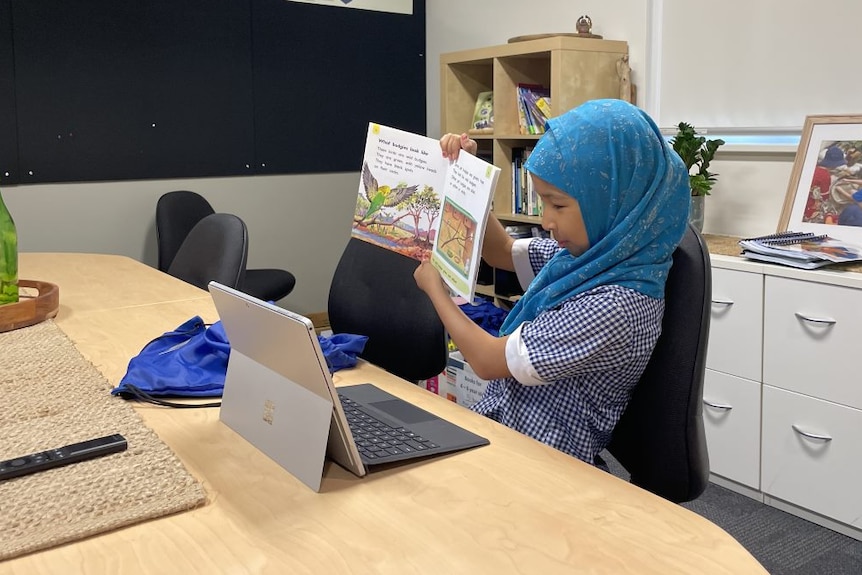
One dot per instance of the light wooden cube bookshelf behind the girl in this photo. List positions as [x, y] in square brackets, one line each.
[575, 70]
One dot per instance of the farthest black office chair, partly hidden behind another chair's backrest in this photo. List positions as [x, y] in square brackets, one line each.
[177, 213]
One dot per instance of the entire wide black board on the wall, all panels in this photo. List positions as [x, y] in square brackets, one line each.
[123, 89]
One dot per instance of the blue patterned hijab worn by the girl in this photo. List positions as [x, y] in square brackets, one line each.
[634, 196]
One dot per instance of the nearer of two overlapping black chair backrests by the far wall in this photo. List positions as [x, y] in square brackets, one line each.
[215, 249]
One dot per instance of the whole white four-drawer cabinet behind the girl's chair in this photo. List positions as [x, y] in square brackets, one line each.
[794, 410]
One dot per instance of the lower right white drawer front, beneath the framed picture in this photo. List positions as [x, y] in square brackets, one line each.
[812, 455]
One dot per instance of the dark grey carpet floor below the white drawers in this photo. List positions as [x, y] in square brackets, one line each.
[783, 543]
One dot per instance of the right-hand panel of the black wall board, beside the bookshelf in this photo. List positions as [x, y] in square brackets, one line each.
[321, 74]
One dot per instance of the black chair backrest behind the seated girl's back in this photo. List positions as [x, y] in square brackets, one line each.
[660, 438]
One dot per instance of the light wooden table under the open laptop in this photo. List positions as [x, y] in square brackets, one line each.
[516, 506]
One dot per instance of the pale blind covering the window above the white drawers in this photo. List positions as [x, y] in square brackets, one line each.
[754, 66]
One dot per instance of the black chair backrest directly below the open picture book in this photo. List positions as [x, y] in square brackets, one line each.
[373, 293]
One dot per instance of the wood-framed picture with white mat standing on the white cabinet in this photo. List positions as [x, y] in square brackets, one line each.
[825, 191]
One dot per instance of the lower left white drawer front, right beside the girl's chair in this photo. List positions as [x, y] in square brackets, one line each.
[731, 417]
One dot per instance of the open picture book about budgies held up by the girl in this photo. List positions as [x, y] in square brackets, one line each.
[413, 201]
